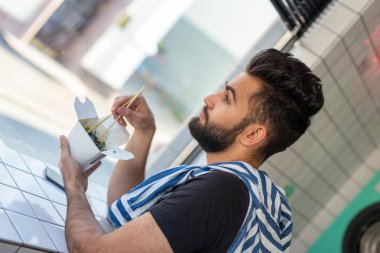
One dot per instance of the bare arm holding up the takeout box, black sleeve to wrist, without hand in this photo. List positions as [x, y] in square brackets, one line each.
[84, 234]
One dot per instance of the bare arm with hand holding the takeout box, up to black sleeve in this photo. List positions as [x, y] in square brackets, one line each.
[83, 232]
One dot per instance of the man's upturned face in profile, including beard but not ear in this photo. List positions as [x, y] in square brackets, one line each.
[225, 114]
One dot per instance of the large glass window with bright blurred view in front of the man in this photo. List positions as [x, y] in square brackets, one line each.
[55, 50]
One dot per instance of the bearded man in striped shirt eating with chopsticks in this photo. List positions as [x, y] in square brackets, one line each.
[228, 205]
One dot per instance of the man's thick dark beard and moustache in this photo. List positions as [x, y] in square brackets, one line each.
[213, 137]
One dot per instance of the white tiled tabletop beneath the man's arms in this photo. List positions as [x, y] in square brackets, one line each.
[33, 210]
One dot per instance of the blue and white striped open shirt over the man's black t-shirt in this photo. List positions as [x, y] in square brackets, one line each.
[267, 225]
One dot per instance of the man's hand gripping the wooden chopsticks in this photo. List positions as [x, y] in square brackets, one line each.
[138, 114]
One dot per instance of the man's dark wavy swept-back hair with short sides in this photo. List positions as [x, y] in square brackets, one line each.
[291, 94]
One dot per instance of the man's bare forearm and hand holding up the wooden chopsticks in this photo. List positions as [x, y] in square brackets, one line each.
[128, 174]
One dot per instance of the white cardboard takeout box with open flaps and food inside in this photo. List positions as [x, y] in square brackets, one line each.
[82, 146]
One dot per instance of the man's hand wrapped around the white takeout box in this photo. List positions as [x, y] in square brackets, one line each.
[73, 174]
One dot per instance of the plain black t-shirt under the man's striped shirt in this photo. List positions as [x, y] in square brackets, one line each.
[204, 214]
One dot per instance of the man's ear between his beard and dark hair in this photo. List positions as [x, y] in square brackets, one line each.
[253, 134]
